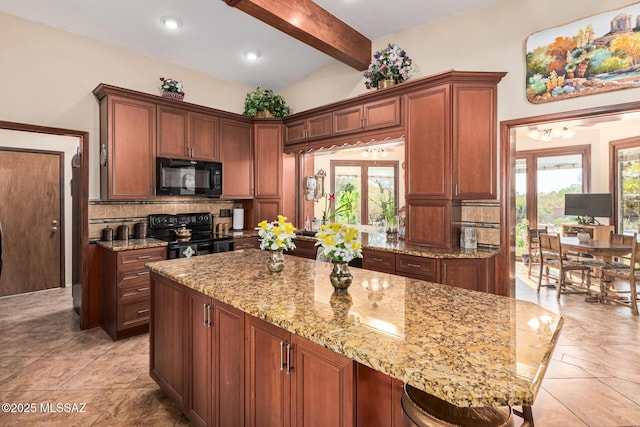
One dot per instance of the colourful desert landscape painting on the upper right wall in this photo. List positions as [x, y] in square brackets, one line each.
[597, 54]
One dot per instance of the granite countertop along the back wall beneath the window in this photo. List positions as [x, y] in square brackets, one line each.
[378, 242]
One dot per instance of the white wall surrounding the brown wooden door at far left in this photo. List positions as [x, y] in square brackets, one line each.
[66, 144]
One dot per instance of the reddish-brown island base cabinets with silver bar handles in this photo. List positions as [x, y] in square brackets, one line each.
[224, 367]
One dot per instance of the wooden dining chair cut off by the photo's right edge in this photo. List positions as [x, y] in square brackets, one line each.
[626, 269]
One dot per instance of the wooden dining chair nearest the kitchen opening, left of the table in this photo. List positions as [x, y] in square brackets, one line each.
[551, 256]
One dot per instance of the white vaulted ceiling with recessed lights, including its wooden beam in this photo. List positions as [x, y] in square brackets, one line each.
[296, 38]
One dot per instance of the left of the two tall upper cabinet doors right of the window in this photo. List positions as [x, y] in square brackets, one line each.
[428, 143]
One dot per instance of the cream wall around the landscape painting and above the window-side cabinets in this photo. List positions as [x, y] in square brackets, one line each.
[489, 39]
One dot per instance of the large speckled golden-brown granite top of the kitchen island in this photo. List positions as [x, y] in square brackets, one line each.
[468, 348]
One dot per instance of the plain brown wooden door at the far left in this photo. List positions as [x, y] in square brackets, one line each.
[31, 217]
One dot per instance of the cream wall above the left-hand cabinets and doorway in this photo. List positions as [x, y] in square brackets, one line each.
[48, 76]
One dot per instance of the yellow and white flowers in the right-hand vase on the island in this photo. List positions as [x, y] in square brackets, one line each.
[340, 242]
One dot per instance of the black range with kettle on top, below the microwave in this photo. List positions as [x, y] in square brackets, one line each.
[201, 241]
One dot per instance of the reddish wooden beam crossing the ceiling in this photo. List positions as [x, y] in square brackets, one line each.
[313, 25]
